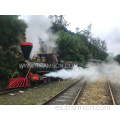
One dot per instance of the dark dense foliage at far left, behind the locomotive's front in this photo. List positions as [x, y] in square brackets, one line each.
[12, 30]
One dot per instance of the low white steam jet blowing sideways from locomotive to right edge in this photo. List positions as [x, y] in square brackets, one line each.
[110, 71]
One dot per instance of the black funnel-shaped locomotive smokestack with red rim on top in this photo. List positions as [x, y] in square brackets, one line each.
[26, 48]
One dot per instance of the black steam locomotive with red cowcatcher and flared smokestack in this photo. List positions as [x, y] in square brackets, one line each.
[33, 71]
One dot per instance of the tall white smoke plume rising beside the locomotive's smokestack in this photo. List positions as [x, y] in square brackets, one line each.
[39, 31]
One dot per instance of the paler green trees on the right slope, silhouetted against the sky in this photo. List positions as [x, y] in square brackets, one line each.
[96, 46]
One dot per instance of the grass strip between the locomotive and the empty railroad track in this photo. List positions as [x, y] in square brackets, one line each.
[35, 95]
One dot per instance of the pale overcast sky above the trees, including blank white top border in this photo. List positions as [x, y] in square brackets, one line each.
[104, 15]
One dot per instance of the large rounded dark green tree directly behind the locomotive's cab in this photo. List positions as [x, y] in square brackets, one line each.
[72, 48]
